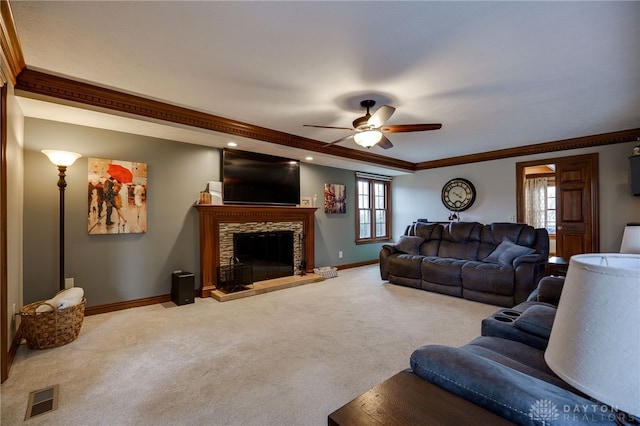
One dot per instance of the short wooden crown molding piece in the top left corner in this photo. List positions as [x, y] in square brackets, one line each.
[12, 58]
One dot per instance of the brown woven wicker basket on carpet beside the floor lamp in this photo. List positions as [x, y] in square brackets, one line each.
[44, 330]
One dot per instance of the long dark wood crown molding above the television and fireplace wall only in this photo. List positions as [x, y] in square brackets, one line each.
[76, 92]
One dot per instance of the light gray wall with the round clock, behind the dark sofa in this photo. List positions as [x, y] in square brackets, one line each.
[496, 192]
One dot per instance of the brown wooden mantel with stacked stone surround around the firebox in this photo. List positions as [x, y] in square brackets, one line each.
[218, 223]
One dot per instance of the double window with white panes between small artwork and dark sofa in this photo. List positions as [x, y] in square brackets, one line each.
[372, 216]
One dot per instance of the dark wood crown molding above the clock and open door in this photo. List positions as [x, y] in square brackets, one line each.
[541, 148]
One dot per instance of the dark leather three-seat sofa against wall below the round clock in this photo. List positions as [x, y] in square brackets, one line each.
[498, 263]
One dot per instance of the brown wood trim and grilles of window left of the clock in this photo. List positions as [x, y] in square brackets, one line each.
[372, 180]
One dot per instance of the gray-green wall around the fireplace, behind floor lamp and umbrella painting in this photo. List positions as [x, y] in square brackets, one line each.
[115, 268]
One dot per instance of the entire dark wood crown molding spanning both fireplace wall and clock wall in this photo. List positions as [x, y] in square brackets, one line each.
[109, 100]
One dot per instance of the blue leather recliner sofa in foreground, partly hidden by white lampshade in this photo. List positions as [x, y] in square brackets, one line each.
[504, 370]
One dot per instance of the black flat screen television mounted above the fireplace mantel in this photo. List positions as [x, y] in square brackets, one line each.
[252, 178]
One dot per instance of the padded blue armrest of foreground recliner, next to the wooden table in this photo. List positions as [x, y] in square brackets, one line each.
[516, 396]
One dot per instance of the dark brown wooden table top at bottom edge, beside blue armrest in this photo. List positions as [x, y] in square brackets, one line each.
[405, 399]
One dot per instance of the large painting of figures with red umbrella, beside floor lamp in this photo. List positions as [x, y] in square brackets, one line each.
[117, 197]
